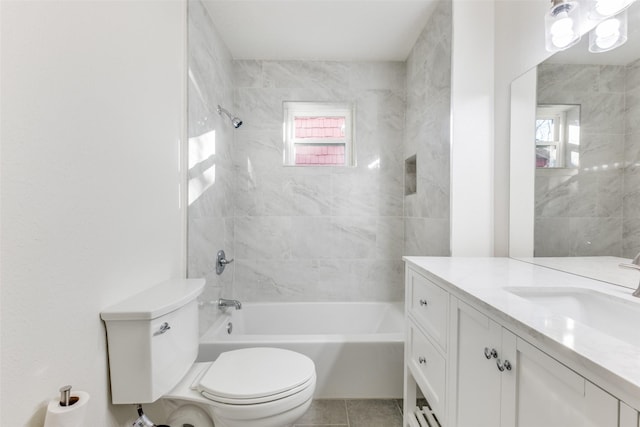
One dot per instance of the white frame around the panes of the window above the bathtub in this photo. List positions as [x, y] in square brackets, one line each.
[293, 109]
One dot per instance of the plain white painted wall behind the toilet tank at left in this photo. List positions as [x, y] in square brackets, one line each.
[93, 104]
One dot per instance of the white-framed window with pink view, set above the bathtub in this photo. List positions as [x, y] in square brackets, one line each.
[318, 134]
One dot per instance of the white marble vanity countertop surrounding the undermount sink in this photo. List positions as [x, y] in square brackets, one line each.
[611, 363]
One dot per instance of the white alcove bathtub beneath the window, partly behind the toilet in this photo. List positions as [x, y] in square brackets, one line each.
[357, 347]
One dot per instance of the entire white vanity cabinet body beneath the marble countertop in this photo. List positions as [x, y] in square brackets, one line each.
[474, 372]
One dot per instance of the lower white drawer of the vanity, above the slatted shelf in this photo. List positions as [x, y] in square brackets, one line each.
[429, 369]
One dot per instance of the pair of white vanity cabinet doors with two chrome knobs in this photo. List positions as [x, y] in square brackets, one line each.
[502, 380]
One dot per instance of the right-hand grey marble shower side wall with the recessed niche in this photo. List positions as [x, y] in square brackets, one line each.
[427, 135]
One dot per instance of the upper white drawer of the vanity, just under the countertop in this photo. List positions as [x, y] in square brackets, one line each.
[429, 305]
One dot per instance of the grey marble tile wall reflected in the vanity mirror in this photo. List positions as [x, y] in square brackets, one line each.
[592, 210]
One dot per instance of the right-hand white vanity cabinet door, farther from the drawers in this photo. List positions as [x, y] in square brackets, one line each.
[543, 392]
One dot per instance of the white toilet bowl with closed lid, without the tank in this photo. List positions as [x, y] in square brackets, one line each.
[261, 387]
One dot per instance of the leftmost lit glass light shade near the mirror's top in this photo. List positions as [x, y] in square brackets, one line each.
[562, 25]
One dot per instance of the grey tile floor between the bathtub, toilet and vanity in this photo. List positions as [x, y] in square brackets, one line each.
[352, 413]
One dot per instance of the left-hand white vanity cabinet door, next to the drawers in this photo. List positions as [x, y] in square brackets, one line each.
[477, 383]
